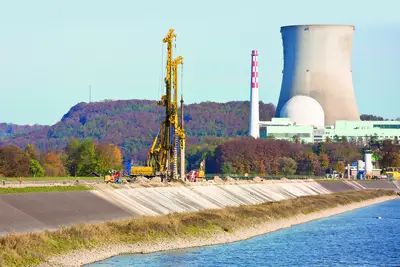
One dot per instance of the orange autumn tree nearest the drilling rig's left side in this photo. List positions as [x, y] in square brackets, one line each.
[108, 157]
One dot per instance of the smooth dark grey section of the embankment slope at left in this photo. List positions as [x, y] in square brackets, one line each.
[40, 211]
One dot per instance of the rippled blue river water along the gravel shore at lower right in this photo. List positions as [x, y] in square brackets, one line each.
[356, 238]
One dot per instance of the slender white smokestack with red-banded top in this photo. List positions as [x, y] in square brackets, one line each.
[254, 108]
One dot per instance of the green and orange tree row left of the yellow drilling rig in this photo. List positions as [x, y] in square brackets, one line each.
[79, 158]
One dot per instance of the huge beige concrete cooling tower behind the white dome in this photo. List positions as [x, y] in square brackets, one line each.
[317, 64]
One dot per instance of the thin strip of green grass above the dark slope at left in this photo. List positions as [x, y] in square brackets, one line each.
[37, 189]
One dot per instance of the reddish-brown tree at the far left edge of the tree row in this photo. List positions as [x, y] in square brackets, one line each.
[14, 162]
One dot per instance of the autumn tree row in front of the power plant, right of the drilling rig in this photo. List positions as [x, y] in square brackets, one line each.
[278, 157]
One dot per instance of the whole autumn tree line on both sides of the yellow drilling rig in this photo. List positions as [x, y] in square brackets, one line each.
[222, 155]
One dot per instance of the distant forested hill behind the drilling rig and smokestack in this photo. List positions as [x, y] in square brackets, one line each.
[132, 124]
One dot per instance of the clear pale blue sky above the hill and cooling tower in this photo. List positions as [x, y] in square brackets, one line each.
[50, 51]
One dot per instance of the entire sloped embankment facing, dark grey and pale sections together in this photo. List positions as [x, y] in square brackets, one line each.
[39, 211]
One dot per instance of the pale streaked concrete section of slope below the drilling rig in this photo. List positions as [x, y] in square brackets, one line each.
[163, 200]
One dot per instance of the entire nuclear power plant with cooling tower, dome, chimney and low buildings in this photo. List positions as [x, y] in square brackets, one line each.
[317, 98]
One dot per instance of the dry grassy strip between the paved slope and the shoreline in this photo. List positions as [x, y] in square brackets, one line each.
[34, 248]
